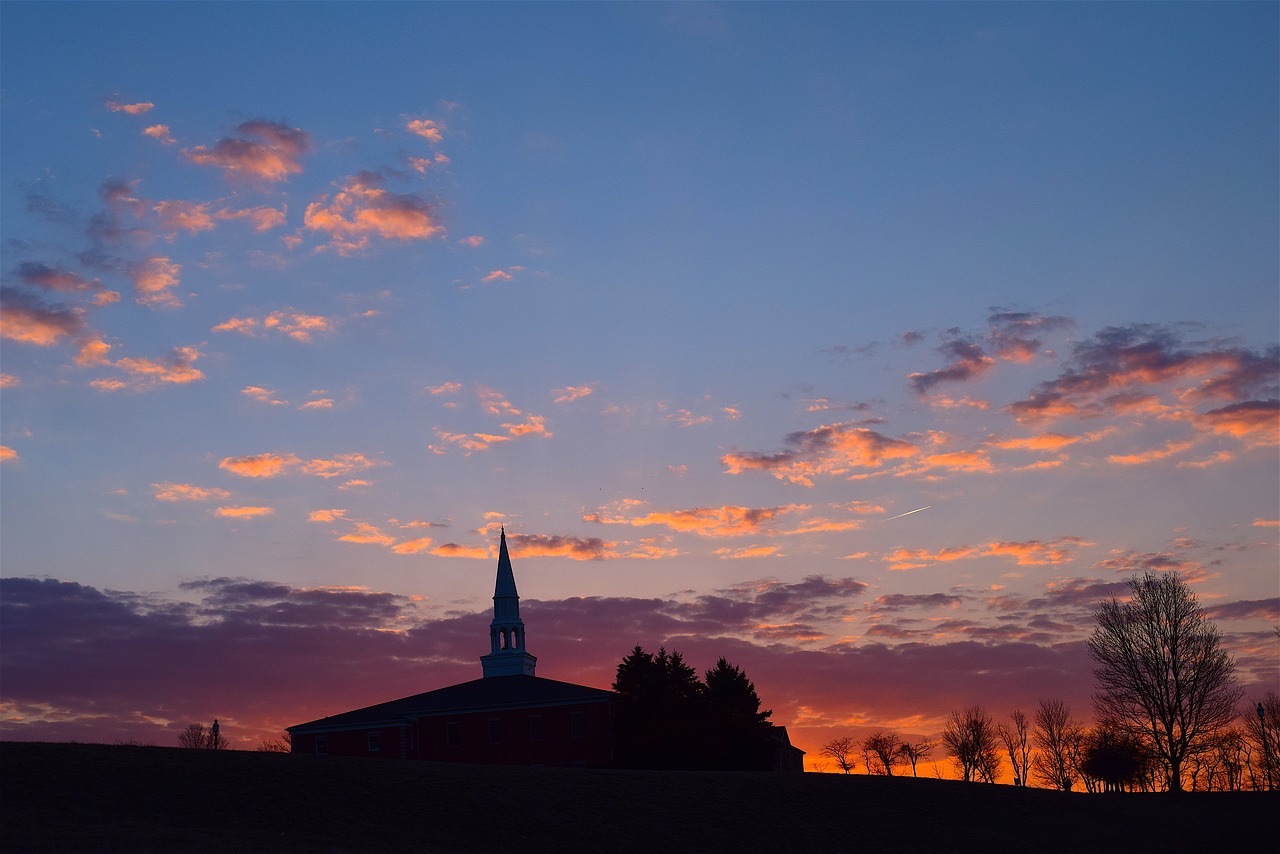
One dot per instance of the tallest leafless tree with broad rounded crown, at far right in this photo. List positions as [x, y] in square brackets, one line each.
[1162, 670]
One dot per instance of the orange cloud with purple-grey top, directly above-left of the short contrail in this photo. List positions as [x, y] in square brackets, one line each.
[828, 450]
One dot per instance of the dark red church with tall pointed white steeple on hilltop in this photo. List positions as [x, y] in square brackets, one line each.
[509, 716]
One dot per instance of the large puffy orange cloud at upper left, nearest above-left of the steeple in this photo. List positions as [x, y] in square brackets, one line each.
[363, 211]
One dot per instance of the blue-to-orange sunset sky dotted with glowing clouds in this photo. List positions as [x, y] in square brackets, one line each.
[868, 346]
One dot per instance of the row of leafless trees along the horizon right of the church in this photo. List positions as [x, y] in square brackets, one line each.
[1168, 715]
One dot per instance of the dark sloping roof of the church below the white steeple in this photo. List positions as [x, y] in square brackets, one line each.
[488, 695]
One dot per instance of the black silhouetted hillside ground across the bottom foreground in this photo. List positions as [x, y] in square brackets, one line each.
[100, 798]
